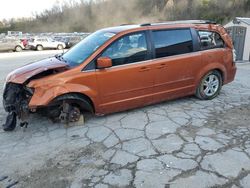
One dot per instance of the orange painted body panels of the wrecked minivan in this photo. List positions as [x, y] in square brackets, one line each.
[132, 85]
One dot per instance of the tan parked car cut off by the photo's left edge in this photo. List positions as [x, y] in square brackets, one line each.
[11, 45]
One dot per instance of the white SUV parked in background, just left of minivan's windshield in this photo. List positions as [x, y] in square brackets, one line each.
[45, 43]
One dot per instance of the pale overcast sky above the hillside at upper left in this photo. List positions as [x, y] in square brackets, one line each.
[24, 8]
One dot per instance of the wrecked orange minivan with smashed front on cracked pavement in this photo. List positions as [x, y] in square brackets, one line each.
[123, 67]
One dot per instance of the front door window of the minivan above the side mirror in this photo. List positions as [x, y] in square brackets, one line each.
[128, 49]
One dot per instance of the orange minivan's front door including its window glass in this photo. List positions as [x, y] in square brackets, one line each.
[129, 82]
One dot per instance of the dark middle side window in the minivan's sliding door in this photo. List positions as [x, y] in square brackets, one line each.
[172, 42]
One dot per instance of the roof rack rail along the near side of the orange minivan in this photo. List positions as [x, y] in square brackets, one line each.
[181, 22]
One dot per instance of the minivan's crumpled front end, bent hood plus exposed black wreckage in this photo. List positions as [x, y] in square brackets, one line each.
[17, 94]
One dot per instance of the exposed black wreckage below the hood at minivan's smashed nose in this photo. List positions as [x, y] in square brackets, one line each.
[16, 98]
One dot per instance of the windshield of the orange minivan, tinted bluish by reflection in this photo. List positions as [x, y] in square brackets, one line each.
[80, 52]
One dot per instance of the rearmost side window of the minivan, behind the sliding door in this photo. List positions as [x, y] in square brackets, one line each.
[210, 40]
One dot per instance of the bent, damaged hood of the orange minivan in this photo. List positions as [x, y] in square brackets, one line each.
[24, 73]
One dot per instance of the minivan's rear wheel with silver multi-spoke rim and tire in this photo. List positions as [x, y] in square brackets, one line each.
[209, 86]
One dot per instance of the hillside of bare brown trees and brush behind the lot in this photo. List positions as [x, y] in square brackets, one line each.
[88, 16]
